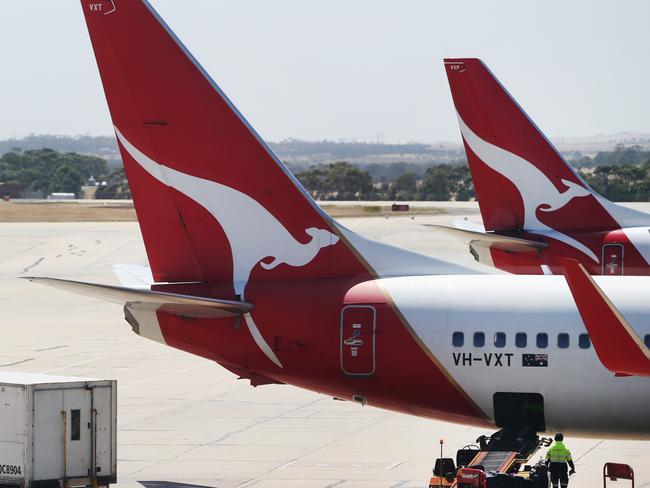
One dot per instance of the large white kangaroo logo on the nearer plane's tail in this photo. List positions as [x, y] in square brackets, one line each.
[253, 233]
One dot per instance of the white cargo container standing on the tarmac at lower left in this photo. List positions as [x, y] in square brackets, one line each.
[57, 431]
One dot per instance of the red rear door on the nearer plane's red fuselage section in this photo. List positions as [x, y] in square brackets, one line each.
[358, 340]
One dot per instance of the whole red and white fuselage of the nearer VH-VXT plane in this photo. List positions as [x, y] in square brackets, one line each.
[396, 343]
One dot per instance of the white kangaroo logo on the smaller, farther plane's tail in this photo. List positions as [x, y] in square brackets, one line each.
[536, 190]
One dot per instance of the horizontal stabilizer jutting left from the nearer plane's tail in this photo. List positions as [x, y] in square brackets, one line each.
[173, 303]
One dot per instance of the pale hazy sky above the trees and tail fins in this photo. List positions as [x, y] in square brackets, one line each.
[349, 69]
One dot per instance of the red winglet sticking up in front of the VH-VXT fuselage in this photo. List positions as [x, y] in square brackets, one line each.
[617, 345]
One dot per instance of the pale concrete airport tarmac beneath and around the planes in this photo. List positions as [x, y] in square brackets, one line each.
[183, 420]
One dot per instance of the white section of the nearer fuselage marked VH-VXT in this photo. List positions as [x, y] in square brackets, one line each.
[580, 395]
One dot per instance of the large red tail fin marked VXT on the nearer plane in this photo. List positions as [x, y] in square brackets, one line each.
[213, 202]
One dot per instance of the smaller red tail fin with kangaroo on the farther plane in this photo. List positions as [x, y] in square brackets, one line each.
[521, 180]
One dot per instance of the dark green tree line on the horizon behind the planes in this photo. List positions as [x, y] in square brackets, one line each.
[47, 171]
